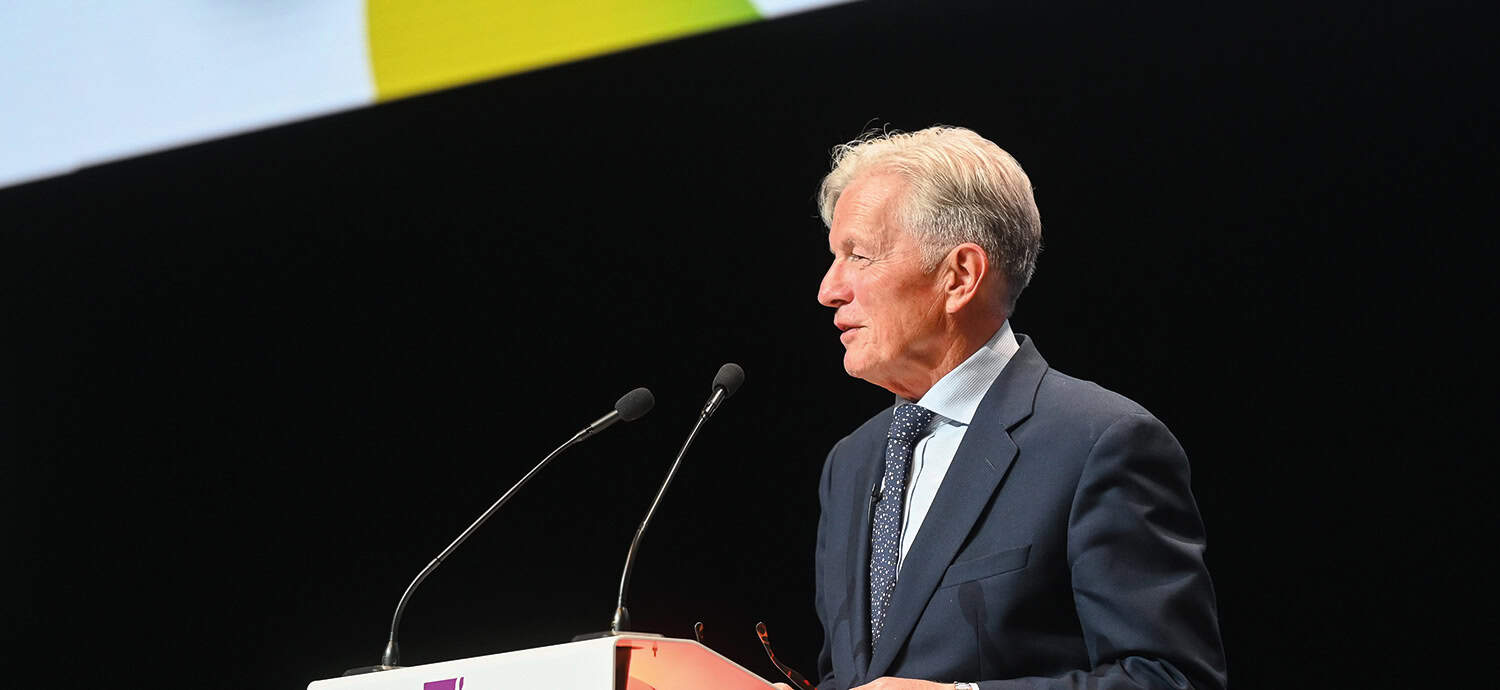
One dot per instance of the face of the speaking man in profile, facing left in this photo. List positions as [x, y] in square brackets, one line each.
[889, 310]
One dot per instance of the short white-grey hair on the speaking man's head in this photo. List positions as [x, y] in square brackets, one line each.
[961, 188]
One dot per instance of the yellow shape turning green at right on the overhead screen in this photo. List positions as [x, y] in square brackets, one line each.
[422, 46]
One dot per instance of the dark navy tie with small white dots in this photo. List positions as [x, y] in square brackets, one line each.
[908, 425]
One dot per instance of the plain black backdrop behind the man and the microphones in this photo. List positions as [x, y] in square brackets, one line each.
[253, 386]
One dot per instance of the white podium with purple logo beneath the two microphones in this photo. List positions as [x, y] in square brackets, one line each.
[607, 664]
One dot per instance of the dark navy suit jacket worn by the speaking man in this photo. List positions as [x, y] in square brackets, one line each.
[1064, 550]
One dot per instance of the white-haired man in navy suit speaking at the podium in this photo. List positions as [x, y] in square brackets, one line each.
[1003, 526]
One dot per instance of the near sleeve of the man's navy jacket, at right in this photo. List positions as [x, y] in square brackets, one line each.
[1136, 557]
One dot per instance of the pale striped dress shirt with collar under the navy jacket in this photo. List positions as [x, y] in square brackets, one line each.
[955, 398]
